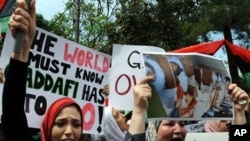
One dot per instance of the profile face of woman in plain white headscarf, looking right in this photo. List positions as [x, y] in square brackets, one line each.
[120, 119]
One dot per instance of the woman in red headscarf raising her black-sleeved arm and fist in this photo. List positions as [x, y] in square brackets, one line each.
[63, 120]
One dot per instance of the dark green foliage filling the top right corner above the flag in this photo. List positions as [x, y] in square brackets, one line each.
[219, 14]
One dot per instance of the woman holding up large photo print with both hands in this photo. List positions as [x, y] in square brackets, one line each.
[142, 94]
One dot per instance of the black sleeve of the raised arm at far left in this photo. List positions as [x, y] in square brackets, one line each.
[13, 119]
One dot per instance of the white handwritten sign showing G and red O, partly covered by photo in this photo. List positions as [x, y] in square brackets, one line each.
[126, 70]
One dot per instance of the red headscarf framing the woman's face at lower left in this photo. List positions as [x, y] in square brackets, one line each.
[52, 113]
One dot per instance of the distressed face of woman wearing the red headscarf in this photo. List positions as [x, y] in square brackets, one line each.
[67, 125]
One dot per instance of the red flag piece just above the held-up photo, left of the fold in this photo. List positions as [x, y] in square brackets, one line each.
[209, 48]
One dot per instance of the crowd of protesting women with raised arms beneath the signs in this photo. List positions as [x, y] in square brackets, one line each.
[64, 119]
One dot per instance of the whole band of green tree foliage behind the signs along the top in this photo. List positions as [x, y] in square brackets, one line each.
[165, 23]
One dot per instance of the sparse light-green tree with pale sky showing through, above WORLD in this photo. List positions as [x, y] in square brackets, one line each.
[93, 19]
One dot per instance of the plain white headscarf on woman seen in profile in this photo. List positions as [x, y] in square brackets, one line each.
[110, 129]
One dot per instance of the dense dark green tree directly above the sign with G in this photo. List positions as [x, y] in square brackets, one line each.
[143, 22]
